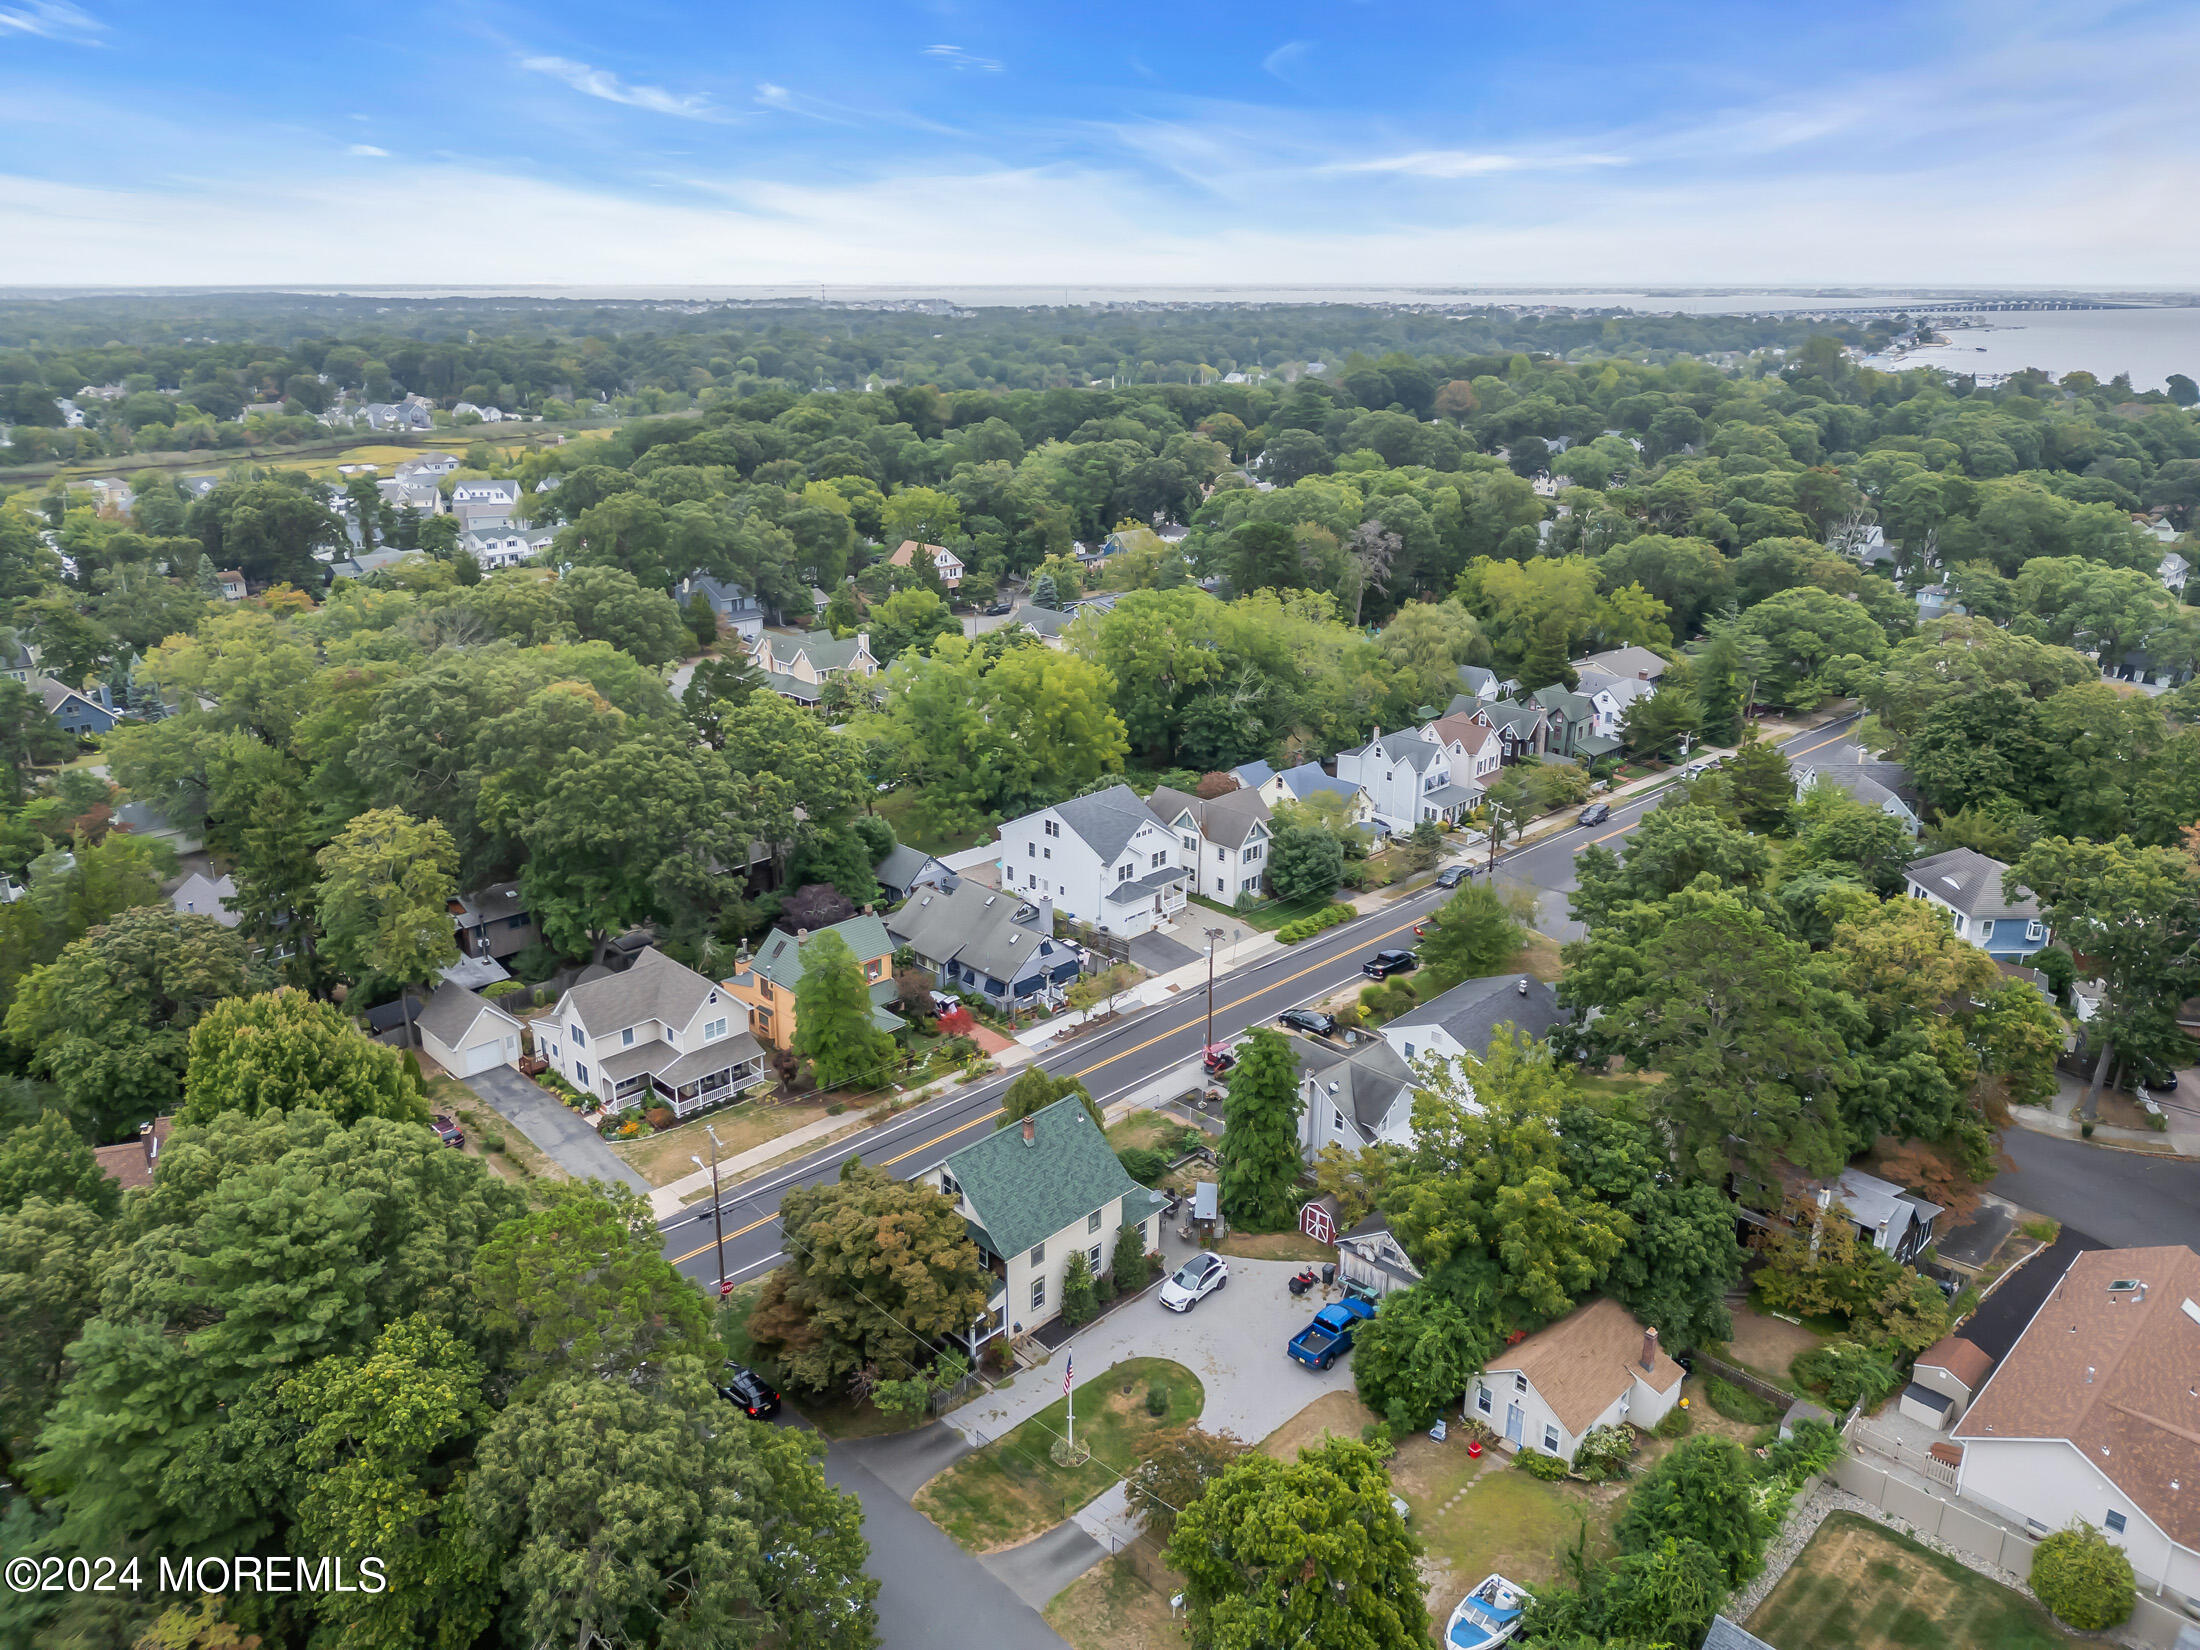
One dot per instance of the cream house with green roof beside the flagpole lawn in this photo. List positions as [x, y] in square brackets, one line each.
[1033, 1196]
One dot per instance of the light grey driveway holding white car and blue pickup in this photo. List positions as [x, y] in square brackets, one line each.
[1233, 1343]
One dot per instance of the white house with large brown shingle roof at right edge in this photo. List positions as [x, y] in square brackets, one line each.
[2093, 1413]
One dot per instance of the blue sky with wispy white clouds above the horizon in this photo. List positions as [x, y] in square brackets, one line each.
[978, 142]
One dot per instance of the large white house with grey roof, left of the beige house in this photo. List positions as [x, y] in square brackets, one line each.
[1103, 859]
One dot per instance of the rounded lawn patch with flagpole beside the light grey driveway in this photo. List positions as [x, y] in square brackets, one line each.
[1013, 1490]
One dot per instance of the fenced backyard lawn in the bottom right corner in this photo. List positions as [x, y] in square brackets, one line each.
[1862, 1587]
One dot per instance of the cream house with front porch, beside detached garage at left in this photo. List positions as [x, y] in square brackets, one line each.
[652, 1035]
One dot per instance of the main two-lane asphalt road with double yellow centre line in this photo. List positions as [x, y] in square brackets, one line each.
[1147, 1044]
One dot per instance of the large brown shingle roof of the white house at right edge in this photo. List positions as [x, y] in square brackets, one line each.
[2117, 1376]
